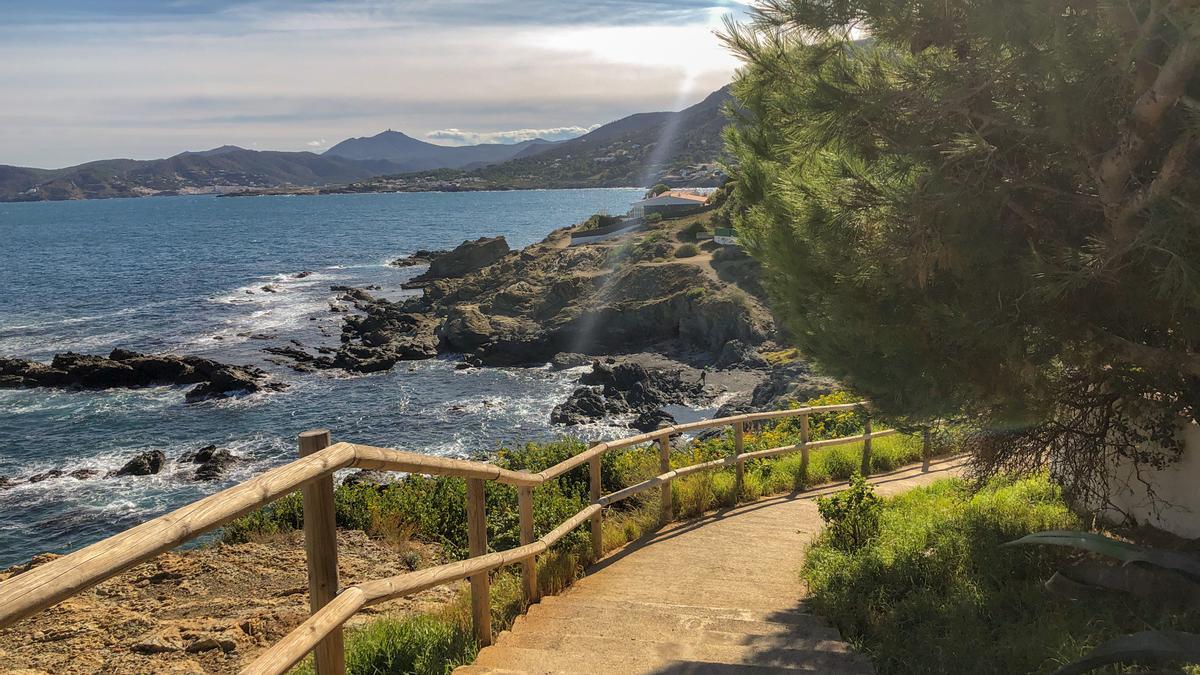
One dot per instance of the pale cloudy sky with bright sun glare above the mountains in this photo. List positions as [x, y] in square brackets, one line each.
[87, 80]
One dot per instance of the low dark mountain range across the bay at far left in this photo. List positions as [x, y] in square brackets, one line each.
[220, 170]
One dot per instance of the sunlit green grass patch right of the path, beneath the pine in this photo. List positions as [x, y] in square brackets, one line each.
[935, 593]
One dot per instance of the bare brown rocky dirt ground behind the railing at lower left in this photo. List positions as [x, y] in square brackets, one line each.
[203, 611]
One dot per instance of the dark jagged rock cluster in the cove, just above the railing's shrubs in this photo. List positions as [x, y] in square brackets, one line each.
[616, 390]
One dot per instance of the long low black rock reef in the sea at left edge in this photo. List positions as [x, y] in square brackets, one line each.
[128, 369]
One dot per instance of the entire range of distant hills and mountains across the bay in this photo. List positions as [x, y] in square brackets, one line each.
[643, 150]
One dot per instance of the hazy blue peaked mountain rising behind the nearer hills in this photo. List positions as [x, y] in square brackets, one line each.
[419, 156]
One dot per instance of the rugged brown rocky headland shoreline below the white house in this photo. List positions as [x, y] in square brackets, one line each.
[568, 306]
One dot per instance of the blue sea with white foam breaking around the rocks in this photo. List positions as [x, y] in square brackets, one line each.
[187, 276]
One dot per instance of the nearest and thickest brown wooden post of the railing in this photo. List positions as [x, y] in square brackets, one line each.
[321, 551]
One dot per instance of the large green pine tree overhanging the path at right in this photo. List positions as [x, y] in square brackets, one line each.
[992, 204]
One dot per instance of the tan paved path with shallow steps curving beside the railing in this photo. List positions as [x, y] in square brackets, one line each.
[715, 595]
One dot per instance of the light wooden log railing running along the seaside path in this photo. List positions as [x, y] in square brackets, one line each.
[43, 587]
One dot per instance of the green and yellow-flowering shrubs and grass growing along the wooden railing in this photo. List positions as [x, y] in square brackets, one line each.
[434, 510]
